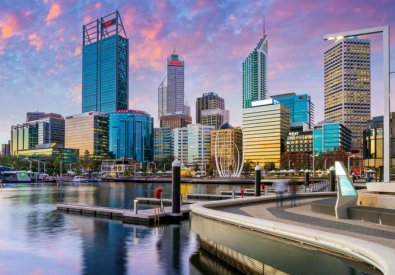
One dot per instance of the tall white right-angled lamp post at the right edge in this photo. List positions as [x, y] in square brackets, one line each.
[387, 93]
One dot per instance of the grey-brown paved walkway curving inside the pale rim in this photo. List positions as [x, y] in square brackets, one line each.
[301, 215]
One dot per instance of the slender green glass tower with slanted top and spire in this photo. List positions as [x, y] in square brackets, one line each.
[255, 74]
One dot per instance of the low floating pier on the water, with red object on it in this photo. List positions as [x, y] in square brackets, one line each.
[143, 217]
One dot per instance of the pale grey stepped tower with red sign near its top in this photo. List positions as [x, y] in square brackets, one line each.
[171, 96]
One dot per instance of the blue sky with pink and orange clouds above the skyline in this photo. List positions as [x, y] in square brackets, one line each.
[40, 49]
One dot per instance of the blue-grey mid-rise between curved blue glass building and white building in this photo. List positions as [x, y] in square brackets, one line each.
[163, 143]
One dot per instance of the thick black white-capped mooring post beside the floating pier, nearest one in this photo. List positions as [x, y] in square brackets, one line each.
[175, 216]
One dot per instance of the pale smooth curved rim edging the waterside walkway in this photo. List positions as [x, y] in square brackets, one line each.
[374, 254]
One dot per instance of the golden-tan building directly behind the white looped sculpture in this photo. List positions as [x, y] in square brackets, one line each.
[229, 147]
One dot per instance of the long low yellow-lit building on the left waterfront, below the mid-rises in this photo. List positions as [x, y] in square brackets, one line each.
[43, 154]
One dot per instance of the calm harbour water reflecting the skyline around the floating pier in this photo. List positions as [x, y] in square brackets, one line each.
[36, 239]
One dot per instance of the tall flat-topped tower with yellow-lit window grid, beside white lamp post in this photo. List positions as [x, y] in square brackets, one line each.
[347, 85]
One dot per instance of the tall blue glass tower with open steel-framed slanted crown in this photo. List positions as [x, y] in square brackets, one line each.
[105, 65]
